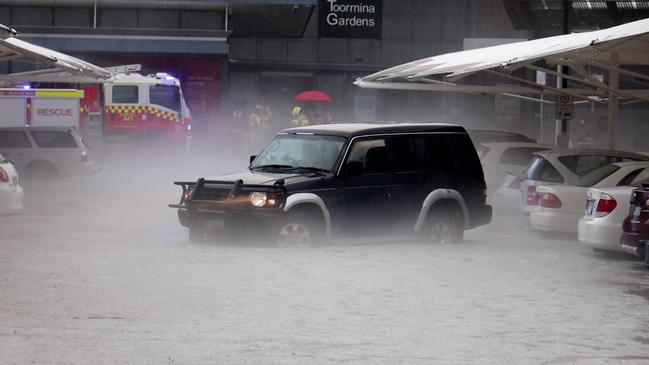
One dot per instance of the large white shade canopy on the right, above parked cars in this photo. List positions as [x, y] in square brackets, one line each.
[588, 53]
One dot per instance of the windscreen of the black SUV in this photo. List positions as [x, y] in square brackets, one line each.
[295, 151]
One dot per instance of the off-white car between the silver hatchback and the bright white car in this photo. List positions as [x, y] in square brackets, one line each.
[560, 207]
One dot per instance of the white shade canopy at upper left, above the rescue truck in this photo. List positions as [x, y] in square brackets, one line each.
[64, 68]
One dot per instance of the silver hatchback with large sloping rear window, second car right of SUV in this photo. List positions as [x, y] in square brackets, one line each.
[565, 166]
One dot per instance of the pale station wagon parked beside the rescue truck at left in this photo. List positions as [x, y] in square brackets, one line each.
[45, 153]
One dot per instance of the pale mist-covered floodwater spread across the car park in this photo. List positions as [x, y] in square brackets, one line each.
[97, 270]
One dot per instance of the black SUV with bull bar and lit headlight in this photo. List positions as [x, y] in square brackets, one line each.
[346, 180]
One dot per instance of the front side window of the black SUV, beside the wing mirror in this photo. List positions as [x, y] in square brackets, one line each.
[368, 157]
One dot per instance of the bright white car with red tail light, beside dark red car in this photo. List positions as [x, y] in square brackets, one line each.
[606, 208]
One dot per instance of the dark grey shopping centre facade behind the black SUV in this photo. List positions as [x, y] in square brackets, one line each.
[232, 56]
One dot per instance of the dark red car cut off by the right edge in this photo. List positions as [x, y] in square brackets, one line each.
[635, 227]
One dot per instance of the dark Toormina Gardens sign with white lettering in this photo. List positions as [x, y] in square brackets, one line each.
[351, 18]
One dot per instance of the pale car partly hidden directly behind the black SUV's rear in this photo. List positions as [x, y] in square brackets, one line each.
[500, 158]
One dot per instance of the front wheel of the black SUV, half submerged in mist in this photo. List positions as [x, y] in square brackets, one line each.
[300, 231]
